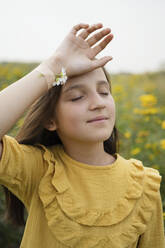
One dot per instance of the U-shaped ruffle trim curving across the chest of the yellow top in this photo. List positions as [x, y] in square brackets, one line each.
[74, 227]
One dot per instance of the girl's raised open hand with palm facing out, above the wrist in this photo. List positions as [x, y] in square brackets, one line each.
[77, 54]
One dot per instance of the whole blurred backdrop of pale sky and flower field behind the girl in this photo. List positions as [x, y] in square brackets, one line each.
[30, 32]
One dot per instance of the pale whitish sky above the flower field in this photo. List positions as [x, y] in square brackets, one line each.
[31, 30]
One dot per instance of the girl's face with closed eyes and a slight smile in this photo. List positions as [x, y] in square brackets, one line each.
[83, 98]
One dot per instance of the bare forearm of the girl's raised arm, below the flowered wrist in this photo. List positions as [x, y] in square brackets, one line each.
[16, 98]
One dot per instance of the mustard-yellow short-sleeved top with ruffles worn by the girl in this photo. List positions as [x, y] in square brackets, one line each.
[76, 205]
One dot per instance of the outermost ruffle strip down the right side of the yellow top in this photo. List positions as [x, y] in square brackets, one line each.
[146, 205]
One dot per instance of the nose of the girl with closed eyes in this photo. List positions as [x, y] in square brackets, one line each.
[96, 101]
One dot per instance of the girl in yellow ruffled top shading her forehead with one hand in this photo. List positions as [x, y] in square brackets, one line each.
[64, 164]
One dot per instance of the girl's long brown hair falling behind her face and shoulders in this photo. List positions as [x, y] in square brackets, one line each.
[33, 131]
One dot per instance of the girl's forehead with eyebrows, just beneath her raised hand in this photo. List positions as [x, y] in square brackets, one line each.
[94, 78]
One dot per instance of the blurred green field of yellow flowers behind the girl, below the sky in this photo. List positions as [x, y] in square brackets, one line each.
[140, 113]
